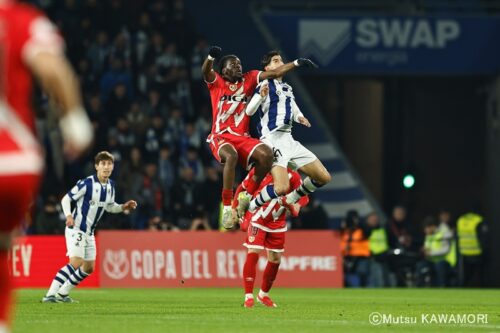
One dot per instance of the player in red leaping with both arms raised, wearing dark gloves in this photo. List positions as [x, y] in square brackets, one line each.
[230, 140]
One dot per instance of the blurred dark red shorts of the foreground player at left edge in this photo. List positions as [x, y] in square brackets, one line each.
[16, 195]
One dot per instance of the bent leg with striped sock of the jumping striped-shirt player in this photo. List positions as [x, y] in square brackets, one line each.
[317, 176]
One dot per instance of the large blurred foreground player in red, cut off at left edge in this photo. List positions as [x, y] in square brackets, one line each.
[29, 44]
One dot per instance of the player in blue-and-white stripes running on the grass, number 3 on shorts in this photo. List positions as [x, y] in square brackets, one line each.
[92, 197]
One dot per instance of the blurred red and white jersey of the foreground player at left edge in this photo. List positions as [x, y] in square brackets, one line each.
[24, 32]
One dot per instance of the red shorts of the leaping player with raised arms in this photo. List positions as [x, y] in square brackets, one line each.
[244, 146]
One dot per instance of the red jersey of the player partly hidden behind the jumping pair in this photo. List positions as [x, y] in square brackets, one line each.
[272, 216]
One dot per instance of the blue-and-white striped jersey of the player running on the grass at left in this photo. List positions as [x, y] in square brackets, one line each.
[92, 198]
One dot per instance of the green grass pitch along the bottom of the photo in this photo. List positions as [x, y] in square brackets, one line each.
[220, 310]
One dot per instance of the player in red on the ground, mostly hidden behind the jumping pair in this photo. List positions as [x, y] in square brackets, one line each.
[265, 229]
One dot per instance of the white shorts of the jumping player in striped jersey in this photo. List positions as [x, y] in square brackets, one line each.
[287, 150]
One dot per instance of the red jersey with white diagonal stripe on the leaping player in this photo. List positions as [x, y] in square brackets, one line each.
[229, 102]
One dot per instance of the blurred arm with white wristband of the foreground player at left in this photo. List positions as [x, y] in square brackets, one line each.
[60, 82]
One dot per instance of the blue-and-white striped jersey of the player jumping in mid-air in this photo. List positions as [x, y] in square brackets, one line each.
[278, 110]
